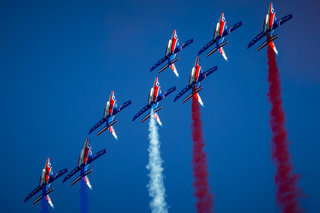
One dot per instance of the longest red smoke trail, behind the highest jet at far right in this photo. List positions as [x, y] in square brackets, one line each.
[287, 191]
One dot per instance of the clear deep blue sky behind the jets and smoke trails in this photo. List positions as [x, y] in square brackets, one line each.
[59, 62]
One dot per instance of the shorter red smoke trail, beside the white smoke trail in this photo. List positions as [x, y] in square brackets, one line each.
[199, 163]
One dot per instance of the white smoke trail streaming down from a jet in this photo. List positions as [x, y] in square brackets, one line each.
[155, 186]
